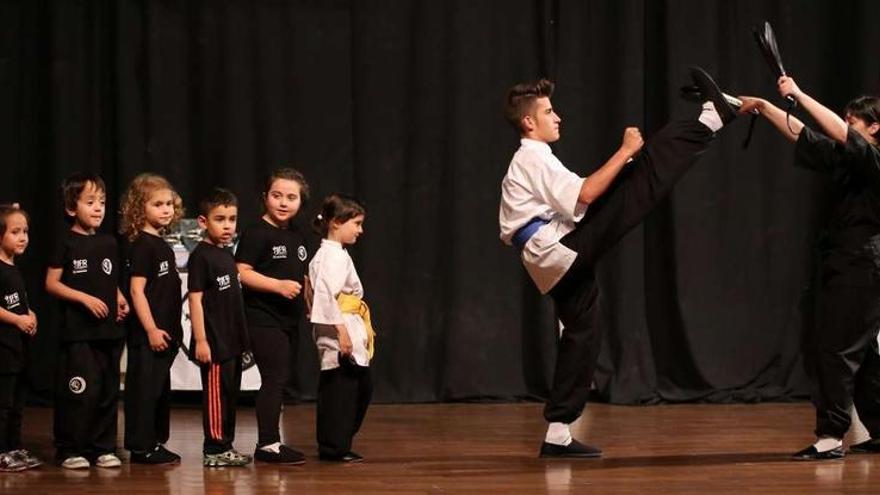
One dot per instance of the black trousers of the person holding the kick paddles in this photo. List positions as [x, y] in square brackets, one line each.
[842, 362]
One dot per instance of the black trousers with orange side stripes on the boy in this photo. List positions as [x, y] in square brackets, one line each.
[220, 385]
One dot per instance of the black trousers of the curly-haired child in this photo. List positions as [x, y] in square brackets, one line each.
[148, 397]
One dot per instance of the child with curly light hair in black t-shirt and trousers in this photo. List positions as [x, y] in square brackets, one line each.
[149, 208]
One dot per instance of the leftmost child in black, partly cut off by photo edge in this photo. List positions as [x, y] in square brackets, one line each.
[18, 324]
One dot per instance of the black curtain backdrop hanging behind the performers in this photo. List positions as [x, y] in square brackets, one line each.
[399, 102]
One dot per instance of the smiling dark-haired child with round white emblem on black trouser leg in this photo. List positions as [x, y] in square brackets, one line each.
[83, 275]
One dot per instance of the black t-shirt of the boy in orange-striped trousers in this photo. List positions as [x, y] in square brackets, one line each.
[212, 271]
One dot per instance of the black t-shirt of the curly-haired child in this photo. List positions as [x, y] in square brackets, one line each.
[149, 256]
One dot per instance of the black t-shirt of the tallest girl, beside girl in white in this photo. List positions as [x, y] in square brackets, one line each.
[279, 253]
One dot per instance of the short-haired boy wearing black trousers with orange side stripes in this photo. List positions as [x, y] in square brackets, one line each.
[219, 332]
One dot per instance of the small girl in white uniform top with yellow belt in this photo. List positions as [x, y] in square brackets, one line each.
[342, 330]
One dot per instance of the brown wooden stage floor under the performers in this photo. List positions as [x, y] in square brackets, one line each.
[492, 448]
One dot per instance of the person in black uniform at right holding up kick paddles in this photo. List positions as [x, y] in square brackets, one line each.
[840, 353]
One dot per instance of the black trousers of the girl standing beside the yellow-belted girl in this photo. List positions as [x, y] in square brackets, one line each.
[271, 348]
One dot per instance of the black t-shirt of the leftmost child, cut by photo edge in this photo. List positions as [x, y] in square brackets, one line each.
[13, 298]
